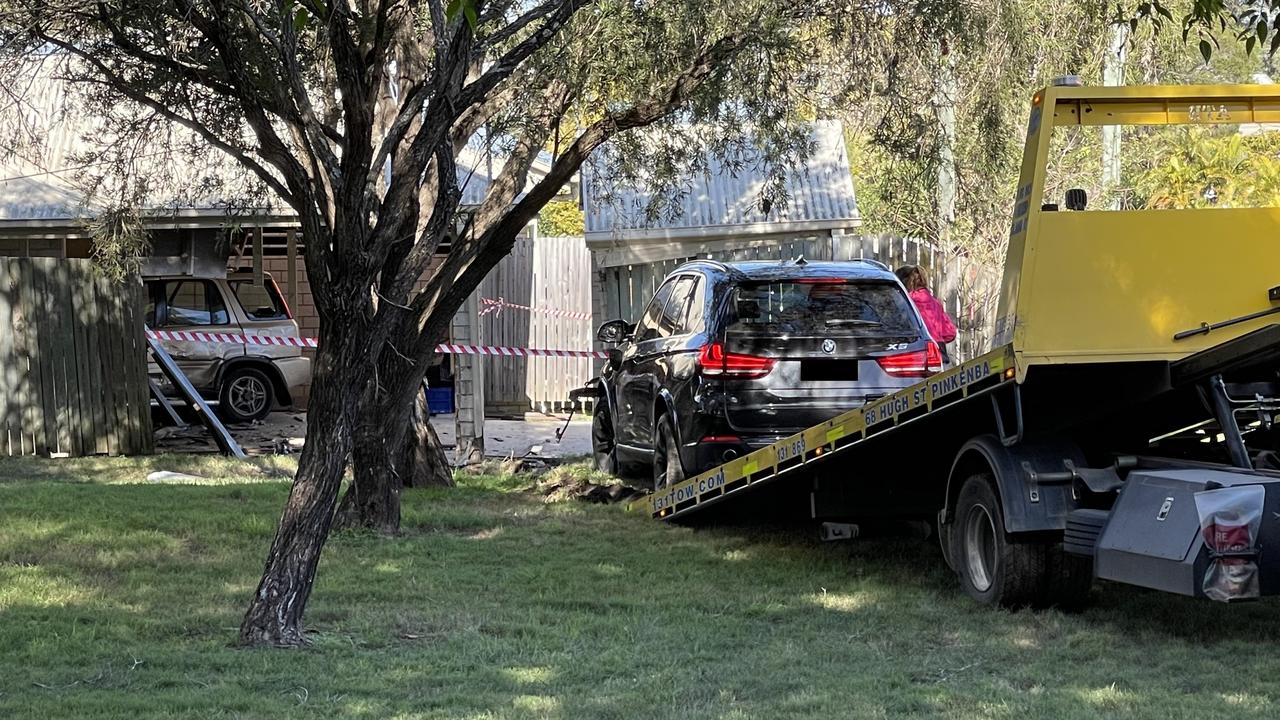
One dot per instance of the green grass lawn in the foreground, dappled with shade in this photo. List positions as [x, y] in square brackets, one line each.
[121, 599]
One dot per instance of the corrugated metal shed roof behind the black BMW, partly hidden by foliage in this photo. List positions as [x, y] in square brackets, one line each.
[721, 200]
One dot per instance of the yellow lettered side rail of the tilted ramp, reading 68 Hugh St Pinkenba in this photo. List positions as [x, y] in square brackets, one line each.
[845, 431]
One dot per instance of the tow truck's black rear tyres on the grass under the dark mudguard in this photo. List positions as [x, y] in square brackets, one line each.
[995, 571]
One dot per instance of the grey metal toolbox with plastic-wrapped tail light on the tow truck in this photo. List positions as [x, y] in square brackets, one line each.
[1197, 532]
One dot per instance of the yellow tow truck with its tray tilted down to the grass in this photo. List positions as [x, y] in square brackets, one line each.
[1124, 426]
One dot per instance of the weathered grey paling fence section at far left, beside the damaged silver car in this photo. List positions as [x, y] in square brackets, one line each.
[74, 370]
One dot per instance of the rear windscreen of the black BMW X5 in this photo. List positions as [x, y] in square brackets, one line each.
[822, 307]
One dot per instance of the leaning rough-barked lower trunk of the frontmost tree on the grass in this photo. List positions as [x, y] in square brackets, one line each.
[275, 616]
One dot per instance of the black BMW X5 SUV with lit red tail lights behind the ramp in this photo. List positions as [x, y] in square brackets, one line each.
[729, 358]
